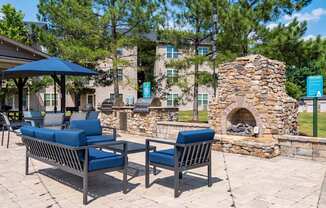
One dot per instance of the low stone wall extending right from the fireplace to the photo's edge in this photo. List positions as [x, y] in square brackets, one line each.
[303, 147]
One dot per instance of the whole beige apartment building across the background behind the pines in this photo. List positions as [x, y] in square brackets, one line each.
[129, 82]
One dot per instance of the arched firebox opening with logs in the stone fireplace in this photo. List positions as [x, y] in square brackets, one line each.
[241, 122]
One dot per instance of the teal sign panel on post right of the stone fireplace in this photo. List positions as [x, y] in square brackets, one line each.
[315, 85]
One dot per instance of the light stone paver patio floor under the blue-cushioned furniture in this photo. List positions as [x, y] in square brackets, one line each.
[277, 183]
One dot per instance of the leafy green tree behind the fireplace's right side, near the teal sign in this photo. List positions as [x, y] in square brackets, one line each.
[302, 57]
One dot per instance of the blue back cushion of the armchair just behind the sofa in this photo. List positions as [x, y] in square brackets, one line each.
[90, 127]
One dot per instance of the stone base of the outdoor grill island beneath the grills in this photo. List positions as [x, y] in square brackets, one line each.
[138, 123]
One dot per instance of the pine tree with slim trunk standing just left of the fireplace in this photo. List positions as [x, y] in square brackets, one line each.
[195, 17]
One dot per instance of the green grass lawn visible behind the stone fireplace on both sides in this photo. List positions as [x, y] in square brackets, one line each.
[305, 121]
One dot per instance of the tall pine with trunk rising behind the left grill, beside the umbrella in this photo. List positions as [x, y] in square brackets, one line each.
[89, 30]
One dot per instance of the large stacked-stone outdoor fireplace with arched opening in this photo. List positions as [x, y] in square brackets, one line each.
[252, 99]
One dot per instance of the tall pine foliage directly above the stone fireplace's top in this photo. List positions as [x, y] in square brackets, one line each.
[241, 23]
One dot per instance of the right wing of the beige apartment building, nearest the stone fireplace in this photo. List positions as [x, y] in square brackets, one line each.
[174, 94]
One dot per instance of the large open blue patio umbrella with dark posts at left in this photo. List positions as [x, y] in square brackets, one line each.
[51, 66]
